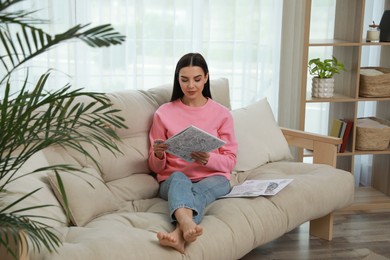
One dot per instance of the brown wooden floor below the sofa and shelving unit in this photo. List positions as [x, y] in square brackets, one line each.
[356, 235]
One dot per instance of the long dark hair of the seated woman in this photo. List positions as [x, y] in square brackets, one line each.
[188, 60]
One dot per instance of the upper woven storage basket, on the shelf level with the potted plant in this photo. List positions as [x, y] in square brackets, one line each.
[375, 86]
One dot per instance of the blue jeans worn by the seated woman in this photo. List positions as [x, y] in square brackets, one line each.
[181, 192]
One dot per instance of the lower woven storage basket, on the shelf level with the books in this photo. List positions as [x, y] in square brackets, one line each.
[372, 138]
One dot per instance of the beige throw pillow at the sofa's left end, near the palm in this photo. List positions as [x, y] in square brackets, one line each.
[87, 194]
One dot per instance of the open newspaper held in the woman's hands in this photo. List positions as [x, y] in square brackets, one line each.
[192, 139]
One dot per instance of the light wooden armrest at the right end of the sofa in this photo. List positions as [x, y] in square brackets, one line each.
[324, 147]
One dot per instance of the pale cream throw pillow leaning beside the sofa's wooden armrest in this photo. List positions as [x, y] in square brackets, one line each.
[259, 138]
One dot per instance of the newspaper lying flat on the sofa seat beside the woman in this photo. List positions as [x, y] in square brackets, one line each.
[255, 188]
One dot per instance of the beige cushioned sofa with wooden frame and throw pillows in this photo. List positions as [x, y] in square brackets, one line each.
[118, 216]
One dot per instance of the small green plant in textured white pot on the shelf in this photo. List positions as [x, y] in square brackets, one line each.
[323, 72]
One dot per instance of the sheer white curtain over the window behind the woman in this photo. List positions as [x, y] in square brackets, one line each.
[239, 39]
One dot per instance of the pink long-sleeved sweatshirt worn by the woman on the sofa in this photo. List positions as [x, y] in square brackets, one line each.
[173, 117]
